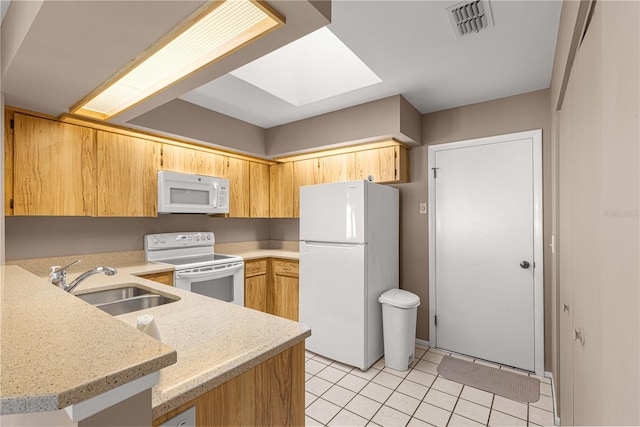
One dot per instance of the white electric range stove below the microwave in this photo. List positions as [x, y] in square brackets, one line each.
[197, 267]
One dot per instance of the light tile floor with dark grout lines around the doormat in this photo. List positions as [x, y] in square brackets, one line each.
[339, 395]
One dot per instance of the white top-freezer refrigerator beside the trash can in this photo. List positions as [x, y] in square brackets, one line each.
[349, 248]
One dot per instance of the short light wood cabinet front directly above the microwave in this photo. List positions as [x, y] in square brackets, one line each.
[190, 160]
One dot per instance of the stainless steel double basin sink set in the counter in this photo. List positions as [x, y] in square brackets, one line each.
[127, 298]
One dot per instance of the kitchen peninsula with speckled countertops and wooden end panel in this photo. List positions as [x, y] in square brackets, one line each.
[246, 364]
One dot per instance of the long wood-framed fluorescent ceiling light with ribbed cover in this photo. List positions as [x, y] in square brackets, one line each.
[218, 29]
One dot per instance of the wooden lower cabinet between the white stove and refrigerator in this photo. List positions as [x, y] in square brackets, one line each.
[271, 285]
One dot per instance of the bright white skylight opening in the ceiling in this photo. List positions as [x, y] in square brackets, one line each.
[312, 68]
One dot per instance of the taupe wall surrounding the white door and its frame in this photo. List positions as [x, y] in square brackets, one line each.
[513, 114]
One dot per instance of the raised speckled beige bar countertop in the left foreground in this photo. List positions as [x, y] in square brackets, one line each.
[57, 350]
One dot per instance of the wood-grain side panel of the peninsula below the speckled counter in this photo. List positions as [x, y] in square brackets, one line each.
[270, 394]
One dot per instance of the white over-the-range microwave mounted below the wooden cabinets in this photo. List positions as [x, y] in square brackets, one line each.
[189, 193]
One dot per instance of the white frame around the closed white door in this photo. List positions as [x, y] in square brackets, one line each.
[538, 248]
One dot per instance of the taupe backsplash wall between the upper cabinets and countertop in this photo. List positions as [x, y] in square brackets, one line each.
[38, 237]
